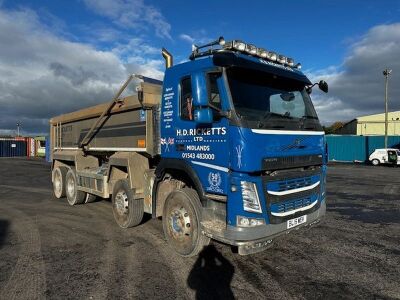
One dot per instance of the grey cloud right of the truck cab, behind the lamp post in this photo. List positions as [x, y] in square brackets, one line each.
[357, 86]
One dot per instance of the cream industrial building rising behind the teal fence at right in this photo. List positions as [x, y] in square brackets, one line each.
[372, 125]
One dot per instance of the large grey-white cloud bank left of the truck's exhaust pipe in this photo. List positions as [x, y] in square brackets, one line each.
[42, 75]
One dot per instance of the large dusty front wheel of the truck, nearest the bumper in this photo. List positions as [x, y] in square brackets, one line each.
[181, 222]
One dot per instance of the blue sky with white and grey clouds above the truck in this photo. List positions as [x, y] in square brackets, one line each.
[58, 56]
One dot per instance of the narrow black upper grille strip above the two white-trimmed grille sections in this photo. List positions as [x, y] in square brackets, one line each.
[288, 162]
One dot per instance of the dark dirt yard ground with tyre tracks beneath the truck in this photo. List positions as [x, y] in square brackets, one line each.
[49, 249]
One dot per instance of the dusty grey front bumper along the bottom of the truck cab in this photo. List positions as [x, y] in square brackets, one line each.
[255, 239]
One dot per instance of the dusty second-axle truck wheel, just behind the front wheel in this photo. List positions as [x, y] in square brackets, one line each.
[127, 210]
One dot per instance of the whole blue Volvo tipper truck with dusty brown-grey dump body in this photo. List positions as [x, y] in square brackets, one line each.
[227, 147]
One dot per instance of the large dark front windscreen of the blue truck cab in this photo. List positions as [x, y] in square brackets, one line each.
[266, 101]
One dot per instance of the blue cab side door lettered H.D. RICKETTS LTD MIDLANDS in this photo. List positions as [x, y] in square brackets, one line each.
[204, 145]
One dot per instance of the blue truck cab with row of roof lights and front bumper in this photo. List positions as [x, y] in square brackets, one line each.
[244, 129]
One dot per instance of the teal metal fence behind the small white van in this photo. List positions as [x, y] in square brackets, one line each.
[357, 148]
